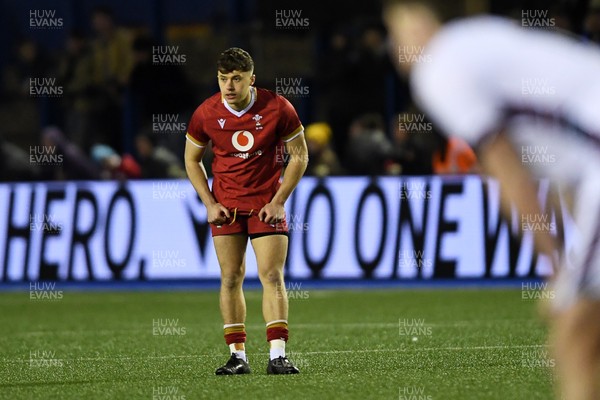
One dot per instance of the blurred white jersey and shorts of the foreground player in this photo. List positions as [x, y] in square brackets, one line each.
[484, 75]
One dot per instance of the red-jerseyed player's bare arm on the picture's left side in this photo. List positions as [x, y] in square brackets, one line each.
[217, 213]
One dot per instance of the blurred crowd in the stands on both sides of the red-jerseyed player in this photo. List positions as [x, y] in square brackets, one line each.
[113, 71]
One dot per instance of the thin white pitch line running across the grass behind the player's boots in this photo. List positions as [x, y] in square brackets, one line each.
[295, 353]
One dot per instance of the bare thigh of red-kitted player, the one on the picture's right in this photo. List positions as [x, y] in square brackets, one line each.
[271, 251]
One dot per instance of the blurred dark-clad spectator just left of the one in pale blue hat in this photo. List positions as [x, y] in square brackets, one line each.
[75, 164]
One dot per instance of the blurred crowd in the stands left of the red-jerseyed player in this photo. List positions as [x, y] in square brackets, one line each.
[97, 76]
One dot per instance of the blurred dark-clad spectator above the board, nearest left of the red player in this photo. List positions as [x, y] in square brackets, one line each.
[157, 161]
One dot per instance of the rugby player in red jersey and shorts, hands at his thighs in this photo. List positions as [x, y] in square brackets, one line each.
[248, 128]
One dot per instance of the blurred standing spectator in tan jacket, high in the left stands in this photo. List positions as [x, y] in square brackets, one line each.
[112, 60]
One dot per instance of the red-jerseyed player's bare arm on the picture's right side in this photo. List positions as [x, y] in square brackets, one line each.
[298, 151]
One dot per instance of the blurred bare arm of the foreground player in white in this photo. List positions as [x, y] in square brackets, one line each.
[499, 159]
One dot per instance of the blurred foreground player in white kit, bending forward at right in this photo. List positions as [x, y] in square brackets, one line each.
[506, 90]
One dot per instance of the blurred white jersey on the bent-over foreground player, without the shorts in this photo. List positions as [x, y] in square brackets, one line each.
[481, 68]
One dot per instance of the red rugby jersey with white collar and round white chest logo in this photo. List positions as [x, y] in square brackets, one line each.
[248, 146]
